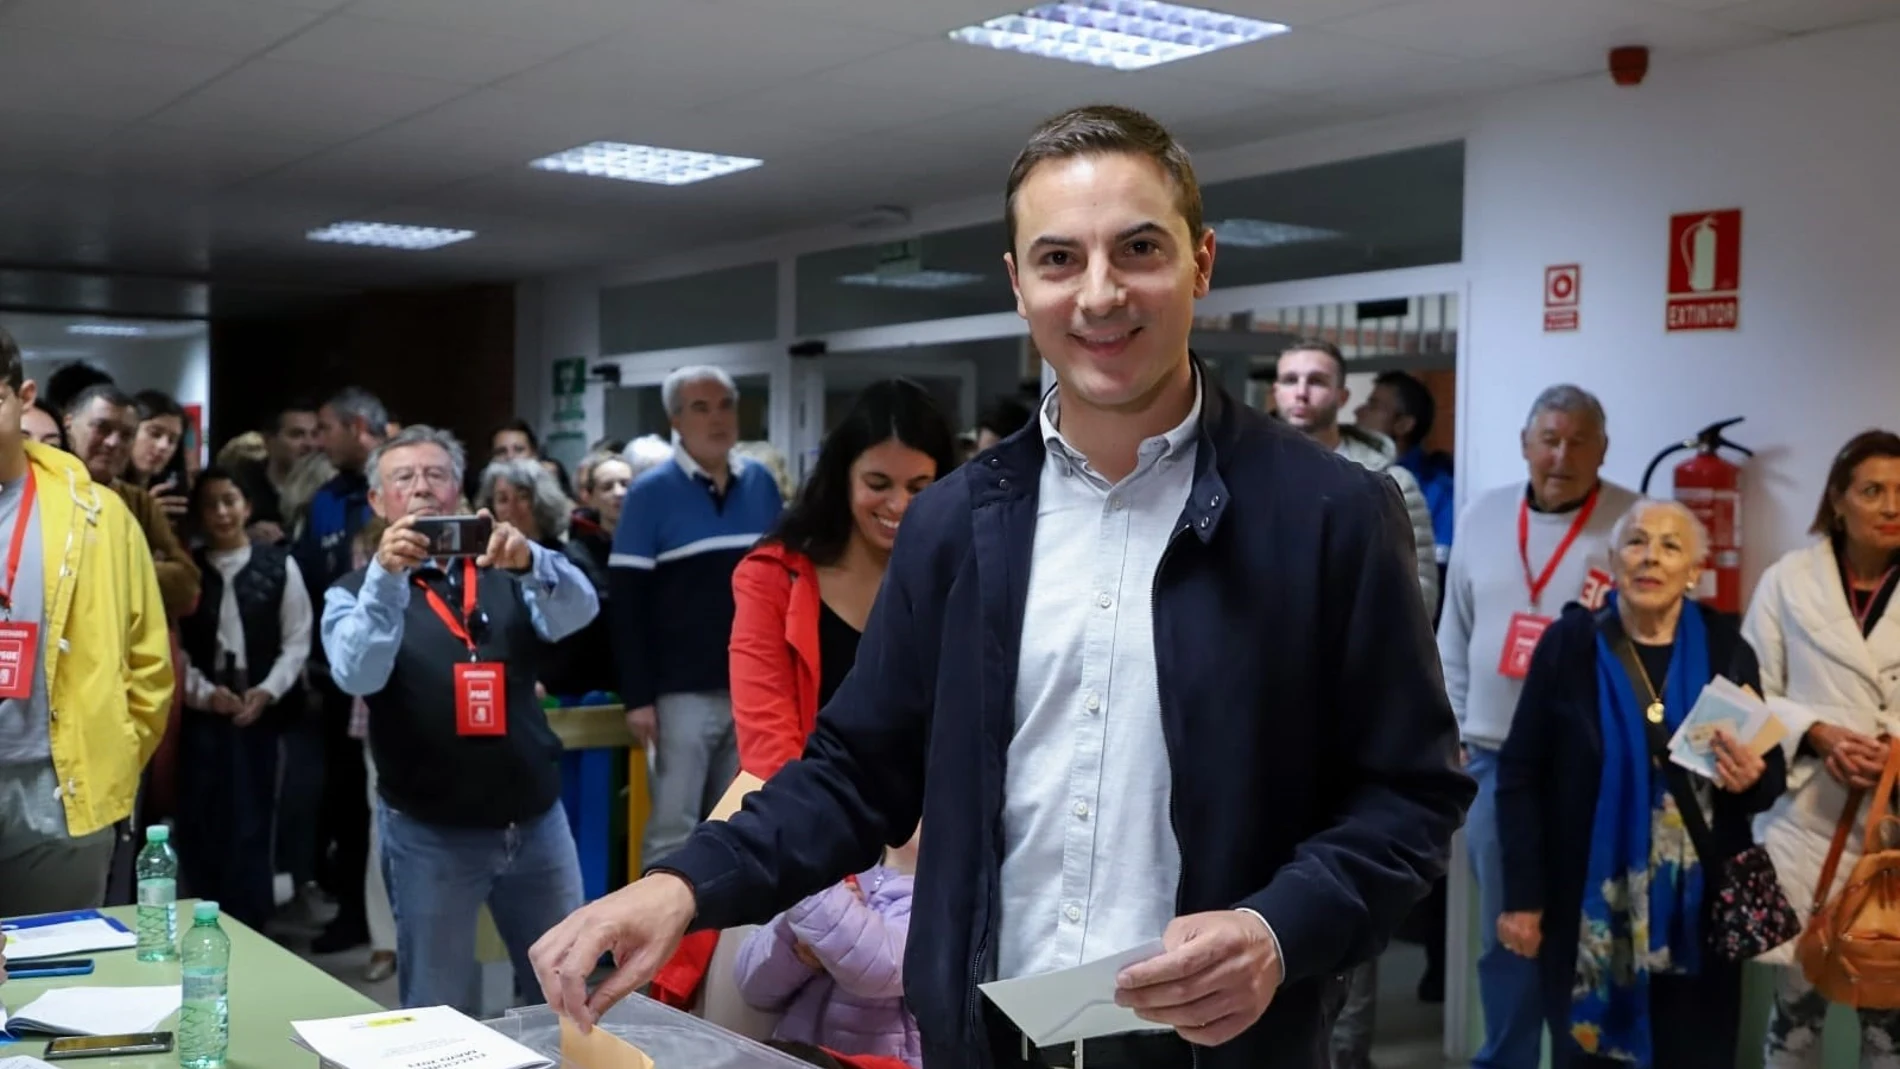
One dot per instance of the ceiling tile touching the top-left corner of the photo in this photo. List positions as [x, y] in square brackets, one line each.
[219, 26]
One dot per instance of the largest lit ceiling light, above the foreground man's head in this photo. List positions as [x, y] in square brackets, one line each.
[1126, 35]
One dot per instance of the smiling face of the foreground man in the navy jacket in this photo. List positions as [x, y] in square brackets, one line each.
[1107, 276]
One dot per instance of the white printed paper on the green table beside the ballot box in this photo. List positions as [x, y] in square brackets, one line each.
[430, 1038]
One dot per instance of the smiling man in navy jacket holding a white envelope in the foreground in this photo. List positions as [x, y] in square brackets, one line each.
[1152, 667]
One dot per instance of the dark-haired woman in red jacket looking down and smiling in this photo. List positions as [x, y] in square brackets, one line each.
[801, 599]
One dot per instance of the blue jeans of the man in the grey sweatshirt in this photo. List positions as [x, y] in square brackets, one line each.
[1508, 985]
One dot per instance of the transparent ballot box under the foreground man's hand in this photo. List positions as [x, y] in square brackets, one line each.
[670, 1038]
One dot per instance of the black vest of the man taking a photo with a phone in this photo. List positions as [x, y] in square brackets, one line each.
[423, 766]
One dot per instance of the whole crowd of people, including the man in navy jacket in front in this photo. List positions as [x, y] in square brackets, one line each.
[1149, 664]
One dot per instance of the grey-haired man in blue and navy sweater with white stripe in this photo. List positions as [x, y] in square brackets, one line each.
[681, 533]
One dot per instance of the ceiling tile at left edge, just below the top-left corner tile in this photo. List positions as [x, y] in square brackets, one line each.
[96, 77]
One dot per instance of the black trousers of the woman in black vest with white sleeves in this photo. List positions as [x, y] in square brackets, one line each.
[227, 814]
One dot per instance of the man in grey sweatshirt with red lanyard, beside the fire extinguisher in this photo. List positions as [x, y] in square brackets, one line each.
[1523, 552]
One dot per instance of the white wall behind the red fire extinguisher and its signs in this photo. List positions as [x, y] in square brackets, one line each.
[1800, 136]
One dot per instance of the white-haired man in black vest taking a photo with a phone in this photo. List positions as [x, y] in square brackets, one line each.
[446, 652]
